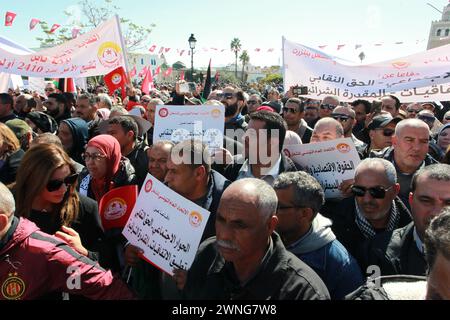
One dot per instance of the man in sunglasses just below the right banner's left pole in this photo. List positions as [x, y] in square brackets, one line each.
[293, 114]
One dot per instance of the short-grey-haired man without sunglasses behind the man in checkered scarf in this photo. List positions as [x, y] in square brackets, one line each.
[409, 152]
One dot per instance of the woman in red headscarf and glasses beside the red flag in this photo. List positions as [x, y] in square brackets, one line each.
[105, 170]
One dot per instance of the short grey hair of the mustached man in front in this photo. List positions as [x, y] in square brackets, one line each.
[267, 198]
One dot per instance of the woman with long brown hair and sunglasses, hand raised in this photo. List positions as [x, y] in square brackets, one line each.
[46, 194]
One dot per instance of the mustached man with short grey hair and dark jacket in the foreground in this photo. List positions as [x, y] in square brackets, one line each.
[247, 260]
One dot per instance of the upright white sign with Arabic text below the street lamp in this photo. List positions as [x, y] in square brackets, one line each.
[179, 123]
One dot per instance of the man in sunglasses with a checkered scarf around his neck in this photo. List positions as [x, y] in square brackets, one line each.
[373, 208]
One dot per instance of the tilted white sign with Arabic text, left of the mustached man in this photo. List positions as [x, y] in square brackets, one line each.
[166, 226]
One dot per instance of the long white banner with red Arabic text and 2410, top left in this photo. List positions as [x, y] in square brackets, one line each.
[97, 52]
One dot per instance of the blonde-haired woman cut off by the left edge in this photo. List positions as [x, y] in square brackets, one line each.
[10, 154]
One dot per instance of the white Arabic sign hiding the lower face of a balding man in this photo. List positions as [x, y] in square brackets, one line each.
[330, 162]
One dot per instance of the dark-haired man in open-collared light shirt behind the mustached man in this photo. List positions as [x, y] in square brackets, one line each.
[263, 143]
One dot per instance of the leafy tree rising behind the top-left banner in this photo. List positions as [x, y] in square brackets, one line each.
[87, 16]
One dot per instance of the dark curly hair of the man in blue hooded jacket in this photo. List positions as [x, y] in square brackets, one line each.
[308, 192]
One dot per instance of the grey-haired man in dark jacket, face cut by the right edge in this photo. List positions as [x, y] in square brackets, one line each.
[401, 251]
